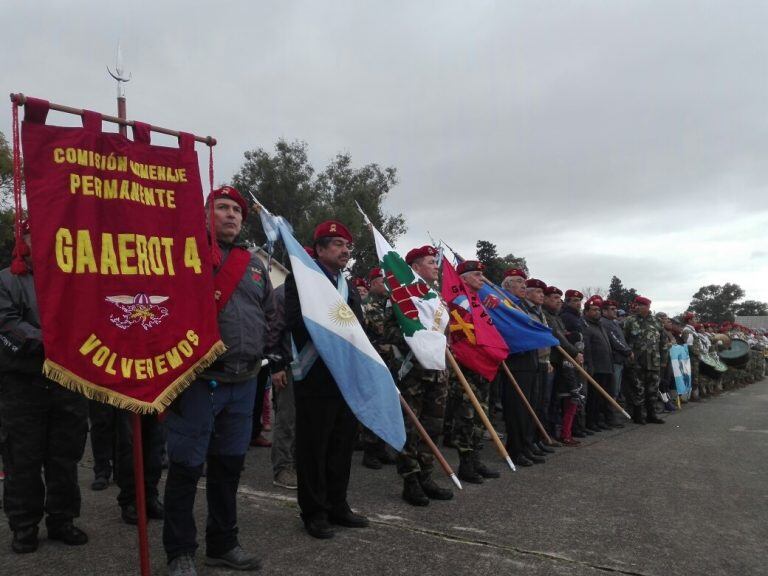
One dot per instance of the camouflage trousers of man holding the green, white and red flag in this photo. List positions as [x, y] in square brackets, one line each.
[426, 392]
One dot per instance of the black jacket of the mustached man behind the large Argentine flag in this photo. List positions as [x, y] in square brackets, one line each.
[318, 381]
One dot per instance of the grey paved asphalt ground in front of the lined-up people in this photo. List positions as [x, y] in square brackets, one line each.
[686, 498]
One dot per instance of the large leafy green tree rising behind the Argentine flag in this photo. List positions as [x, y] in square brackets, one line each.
[287, 184]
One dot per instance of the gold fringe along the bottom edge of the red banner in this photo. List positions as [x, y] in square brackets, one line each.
[92, 391]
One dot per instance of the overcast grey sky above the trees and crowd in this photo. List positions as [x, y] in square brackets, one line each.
[593, 138]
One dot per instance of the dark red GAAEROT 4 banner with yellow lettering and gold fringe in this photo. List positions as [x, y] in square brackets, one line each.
[121, 261]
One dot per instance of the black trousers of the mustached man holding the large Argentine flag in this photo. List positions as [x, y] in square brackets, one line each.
[325, 438]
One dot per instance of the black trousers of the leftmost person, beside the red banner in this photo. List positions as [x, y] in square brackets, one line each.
[45, 427]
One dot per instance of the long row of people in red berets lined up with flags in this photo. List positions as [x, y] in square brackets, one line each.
[269, 368]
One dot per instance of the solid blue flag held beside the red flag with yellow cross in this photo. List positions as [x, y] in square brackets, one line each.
[519, 331]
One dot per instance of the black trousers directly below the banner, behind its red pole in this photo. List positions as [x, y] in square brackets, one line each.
[152, 440]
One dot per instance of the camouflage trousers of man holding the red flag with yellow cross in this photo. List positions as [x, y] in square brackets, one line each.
[467, 425]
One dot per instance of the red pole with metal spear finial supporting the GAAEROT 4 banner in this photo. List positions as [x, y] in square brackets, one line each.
[138, 448]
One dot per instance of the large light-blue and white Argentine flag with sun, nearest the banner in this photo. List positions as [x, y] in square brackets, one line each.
[360, 373]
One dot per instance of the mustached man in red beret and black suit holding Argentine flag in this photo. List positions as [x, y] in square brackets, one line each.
[325, 425]
